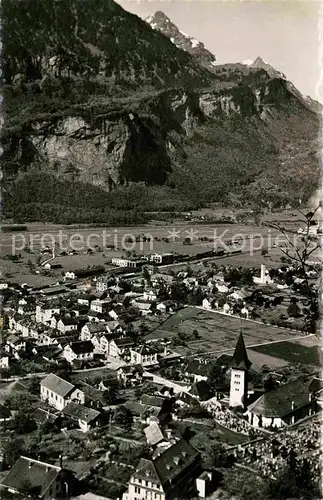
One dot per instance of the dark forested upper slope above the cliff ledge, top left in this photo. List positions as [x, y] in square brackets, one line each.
[94, 40]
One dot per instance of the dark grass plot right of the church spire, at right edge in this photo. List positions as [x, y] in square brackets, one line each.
[292, 352]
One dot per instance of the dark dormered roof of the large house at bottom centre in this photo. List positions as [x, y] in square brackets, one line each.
[165, 467]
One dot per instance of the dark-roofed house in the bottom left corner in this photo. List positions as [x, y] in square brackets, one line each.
[41, 480]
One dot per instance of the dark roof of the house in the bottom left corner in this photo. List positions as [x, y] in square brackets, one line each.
[38, 475]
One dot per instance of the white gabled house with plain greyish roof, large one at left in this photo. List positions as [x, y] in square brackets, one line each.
[58, 392]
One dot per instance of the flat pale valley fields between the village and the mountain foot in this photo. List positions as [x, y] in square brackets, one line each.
[250, 239]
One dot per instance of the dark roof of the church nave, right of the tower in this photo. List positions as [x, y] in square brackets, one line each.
[278, 402]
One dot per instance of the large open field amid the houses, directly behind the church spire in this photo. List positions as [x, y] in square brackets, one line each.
[218, 334]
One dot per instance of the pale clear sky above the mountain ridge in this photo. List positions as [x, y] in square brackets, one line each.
[285, 33]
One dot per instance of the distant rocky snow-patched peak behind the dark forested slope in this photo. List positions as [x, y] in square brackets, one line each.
[160, 22]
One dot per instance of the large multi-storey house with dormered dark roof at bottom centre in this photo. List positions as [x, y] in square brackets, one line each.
[169, 473]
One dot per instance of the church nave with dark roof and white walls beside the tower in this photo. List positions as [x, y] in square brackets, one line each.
[283, 406]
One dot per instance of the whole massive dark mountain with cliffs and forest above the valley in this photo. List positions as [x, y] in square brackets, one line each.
[106, 118]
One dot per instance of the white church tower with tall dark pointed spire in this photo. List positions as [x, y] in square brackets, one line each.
[240, 365]
